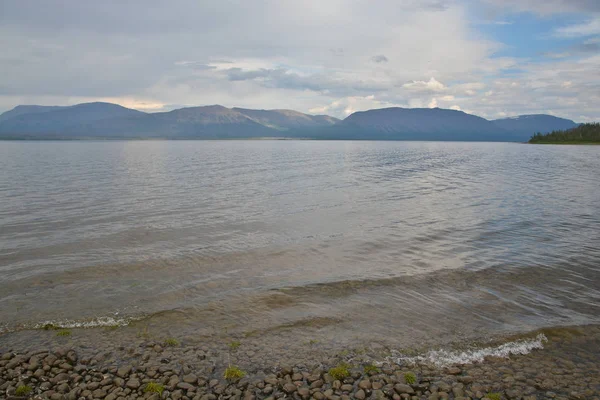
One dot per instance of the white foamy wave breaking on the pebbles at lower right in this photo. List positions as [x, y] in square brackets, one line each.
[443, 358]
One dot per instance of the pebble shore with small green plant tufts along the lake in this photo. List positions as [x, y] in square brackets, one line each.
[567, 368]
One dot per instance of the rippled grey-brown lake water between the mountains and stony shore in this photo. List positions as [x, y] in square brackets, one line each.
[400, 242]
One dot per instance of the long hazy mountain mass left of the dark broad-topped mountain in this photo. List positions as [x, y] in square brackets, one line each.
[104, 120]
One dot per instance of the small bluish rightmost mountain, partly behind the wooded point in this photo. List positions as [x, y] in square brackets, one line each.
[526, 125]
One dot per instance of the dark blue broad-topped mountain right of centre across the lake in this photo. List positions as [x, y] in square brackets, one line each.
[397, 123]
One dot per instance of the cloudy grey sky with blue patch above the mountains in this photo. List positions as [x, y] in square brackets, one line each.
[493, 58]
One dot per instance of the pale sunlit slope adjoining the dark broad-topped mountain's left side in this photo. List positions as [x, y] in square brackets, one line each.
[287, 119]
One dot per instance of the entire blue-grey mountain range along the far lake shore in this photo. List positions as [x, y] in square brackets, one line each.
[112, 121]
